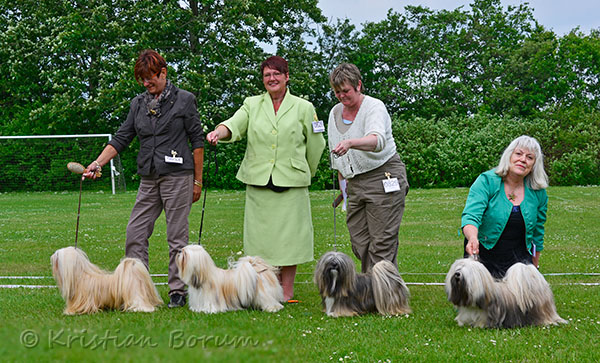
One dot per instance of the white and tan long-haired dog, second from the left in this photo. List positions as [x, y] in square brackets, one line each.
[248, 283]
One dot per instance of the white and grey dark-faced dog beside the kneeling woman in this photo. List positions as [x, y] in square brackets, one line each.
[521, 298]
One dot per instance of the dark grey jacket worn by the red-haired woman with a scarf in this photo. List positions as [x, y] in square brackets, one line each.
[178, 123]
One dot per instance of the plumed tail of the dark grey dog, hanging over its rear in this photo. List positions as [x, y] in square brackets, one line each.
[389, 289]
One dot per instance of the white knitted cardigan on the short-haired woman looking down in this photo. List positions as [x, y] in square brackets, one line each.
[372, 118]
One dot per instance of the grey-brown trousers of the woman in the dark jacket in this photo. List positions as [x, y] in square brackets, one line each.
[174, 195]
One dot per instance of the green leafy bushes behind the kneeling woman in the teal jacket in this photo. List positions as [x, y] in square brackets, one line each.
[453, 151]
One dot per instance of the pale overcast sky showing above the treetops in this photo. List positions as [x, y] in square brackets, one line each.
[558, 15]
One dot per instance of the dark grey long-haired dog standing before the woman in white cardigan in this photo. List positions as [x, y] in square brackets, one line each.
[344, 292]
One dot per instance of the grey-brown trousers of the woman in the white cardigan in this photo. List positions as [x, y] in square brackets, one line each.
[374, 216]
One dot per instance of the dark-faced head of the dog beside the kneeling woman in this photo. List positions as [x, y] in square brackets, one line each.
[469, 283]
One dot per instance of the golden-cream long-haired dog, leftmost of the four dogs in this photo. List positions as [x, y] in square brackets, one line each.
[86, 288]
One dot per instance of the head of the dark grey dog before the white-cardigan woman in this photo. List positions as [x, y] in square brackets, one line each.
[335, 274]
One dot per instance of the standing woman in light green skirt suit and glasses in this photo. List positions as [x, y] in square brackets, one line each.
[284, 146]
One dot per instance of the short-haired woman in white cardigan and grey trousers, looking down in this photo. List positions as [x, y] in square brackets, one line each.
[360, 138]
